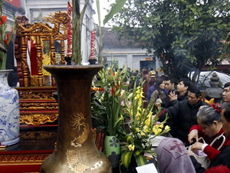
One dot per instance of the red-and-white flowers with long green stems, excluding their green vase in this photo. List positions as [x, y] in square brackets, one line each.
[108, 102]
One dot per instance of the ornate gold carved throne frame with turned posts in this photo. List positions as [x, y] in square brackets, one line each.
[41, 31]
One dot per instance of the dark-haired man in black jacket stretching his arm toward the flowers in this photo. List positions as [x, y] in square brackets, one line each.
[184, 113]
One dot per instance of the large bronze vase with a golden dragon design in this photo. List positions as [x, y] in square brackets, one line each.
[75, 151]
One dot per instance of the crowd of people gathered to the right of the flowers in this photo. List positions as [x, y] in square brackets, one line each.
[204, 127]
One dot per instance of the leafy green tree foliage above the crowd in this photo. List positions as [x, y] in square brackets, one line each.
[183, 34]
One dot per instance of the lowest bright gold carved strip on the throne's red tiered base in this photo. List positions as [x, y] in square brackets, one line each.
[37, 119]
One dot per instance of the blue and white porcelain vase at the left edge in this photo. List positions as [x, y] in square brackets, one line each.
[9, 111]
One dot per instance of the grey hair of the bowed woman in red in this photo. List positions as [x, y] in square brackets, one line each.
[207, 115]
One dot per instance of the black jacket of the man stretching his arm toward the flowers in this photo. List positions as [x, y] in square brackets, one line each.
[184, 115]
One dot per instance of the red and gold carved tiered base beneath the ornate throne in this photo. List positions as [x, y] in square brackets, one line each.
[37, 105]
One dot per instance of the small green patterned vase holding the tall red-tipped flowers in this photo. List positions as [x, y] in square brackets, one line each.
[112, 150]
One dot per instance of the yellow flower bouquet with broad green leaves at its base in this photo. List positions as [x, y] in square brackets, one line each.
[143, 127]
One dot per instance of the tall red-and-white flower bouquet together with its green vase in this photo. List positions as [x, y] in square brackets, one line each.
[108, 108]
